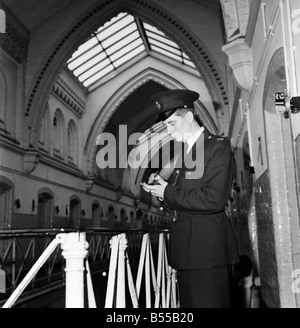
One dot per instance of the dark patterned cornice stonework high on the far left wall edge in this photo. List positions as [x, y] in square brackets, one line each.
[14, 44]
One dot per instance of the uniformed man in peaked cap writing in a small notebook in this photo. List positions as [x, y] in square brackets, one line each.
[202, 242]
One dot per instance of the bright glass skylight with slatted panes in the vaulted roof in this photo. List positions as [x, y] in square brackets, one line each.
[117, 42]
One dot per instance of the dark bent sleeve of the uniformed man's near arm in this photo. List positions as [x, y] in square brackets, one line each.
[211, 195]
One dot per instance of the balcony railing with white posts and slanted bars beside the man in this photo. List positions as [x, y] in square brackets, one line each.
[34, 264]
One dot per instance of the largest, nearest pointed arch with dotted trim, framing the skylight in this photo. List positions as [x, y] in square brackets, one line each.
[52, 65]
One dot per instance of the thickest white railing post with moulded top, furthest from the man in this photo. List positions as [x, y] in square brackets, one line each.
[74, 246]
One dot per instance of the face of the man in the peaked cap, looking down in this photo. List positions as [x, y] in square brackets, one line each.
[178, 127]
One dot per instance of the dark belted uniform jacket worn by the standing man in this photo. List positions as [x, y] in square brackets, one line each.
[201, 235]
